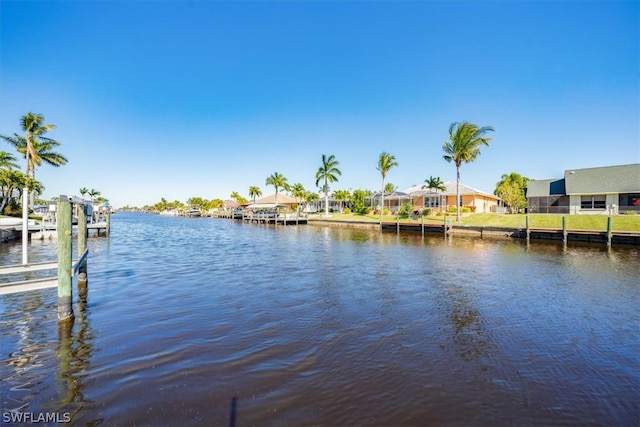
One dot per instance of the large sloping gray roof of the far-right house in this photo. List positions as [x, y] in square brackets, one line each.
[608, 179]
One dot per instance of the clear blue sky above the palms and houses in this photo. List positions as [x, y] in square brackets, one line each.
[177, 98]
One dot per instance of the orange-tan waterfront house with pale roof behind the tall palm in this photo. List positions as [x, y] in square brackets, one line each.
[427, 198]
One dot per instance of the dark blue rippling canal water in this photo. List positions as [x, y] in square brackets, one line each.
[213, 322]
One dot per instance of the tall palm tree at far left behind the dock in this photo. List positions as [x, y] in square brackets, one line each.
[35, 146]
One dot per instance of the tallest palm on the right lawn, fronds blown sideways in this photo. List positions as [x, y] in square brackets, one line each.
[463, 146]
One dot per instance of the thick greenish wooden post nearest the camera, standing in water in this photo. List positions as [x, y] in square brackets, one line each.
[63, 226]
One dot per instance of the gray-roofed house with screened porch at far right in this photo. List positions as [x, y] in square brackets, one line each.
[605, 190]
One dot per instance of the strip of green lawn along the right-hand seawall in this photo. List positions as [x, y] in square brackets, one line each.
[574, 222]
